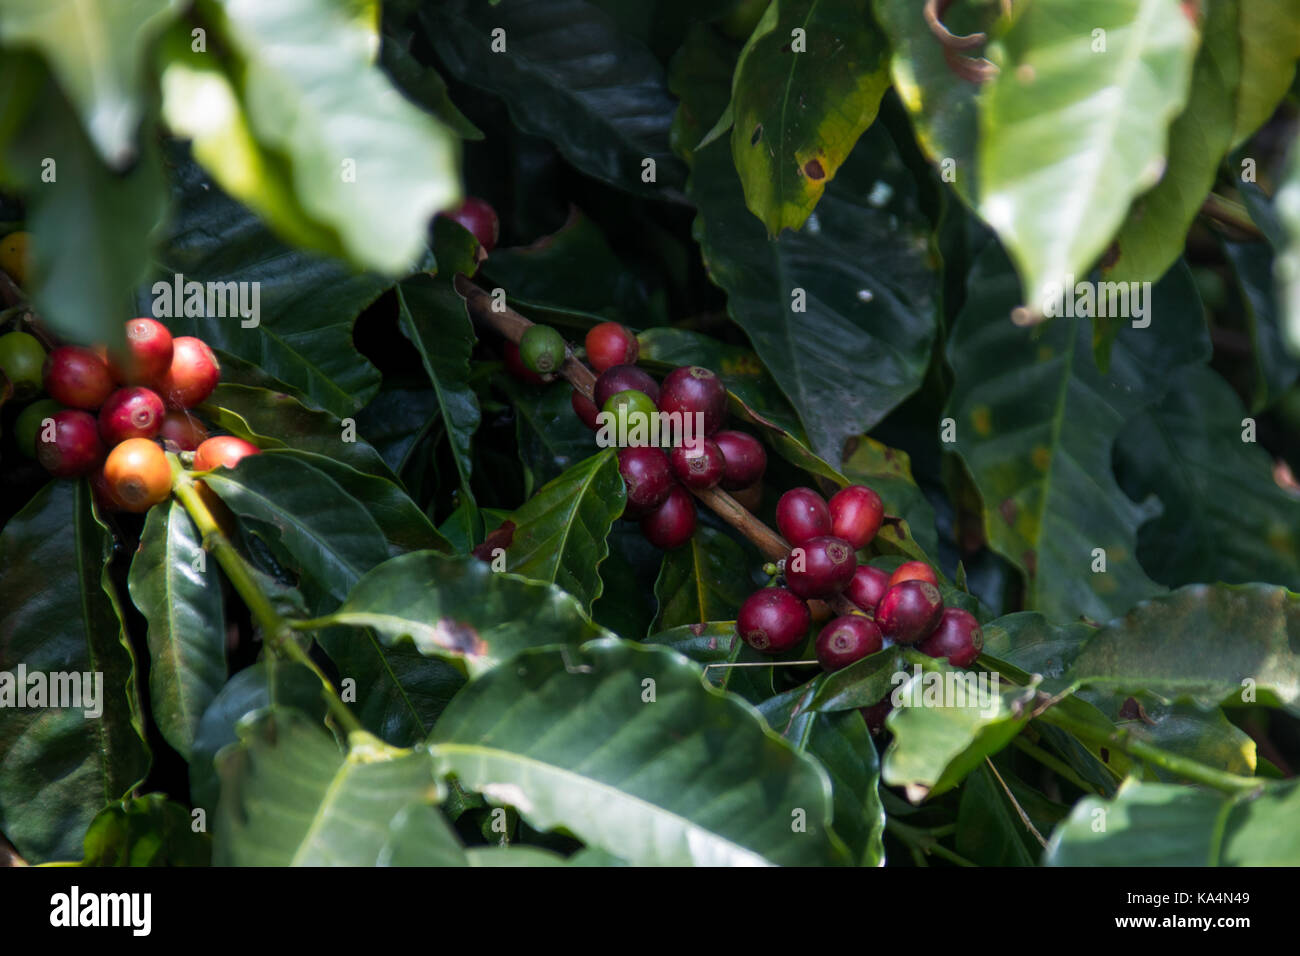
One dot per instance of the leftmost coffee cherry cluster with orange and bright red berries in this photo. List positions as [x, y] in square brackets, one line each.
[109, 417]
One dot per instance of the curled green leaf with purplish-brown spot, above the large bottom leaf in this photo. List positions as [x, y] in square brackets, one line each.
[461, 609]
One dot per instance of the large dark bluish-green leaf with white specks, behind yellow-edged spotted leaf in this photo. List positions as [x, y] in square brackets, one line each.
[860, 269]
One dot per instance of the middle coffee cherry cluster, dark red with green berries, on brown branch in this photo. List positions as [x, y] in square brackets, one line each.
[658, 483]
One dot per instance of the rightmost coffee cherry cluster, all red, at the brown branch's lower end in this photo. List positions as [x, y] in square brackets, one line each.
[903, 608]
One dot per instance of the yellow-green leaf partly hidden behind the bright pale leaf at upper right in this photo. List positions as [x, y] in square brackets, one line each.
[1154, 235]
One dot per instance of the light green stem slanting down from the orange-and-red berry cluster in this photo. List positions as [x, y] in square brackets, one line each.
[276, 631]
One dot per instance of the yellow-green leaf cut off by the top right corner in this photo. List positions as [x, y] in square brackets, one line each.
[1271, 45]
